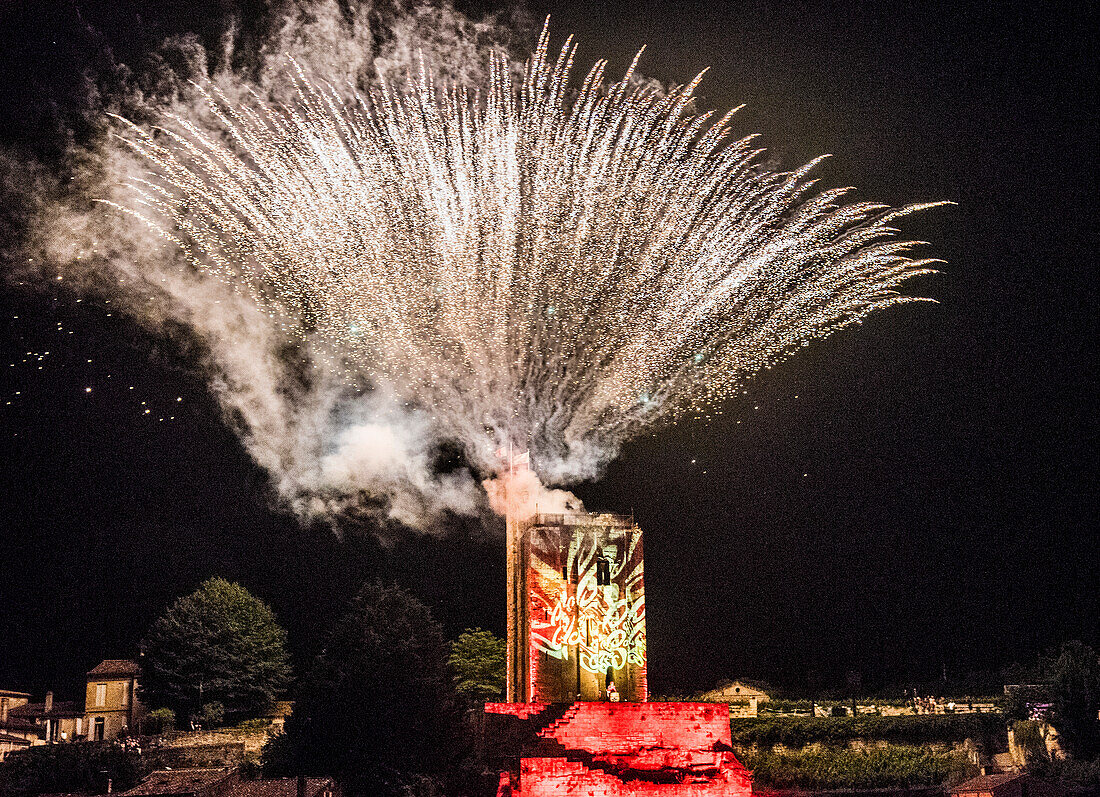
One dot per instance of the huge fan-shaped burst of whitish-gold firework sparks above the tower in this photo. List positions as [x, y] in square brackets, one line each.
[531, 263]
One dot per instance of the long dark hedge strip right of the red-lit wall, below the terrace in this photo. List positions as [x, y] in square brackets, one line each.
[799, 732]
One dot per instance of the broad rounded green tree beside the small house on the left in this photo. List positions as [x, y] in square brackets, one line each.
[219, 645]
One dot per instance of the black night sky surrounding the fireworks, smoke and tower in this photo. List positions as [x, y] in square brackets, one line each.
[912, 495]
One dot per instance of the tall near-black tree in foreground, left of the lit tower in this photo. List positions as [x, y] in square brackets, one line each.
[377, 707]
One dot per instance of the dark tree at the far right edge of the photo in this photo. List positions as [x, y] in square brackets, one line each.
[1075, 693]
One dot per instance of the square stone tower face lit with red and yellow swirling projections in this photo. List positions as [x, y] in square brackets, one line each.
[585, 608]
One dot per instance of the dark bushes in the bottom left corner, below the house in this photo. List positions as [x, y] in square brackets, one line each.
[84, 767]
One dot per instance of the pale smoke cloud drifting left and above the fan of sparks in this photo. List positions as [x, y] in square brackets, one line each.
[331, 446]
